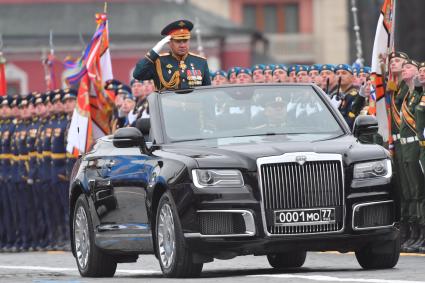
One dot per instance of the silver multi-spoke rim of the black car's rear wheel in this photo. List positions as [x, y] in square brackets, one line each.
[81, 237]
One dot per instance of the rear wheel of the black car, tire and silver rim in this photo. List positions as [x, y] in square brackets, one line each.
[91, 261]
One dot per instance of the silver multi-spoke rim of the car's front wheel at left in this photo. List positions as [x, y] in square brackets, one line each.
[166, 236]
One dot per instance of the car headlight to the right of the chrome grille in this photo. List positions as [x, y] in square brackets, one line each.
[372, 173]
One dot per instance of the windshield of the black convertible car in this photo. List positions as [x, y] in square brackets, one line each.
[246, 111]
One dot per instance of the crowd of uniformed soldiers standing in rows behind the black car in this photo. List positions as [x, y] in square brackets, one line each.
[35, 167]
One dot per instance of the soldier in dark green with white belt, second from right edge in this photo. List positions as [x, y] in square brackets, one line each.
[410, 152]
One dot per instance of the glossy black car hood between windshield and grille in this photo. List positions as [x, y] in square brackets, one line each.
[244, 155]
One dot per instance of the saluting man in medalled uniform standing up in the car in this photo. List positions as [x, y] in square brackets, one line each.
[178, 69]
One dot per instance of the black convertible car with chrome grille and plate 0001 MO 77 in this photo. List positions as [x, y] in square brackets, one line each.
[219, 172]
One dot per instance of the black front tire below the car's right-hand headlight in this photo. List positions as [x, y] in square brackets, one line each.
[379, 255]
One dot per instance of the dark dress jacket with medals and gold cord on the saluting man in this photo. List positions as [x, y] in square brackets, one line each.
[168, 72]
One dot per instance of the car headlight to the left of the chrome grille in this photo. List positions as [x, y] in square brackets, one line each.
[204, 178]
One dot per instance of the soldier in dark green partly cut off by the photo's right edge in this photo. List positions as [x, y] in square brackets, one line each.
[420, 128]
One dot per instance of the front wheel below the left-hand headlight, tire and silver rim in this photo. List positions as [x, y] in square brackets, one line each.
[175, 257]
